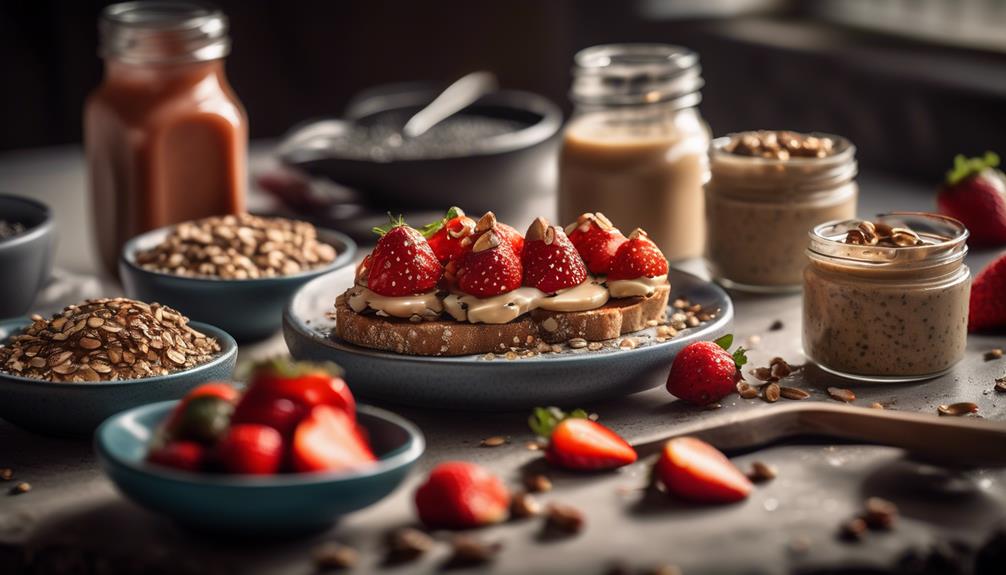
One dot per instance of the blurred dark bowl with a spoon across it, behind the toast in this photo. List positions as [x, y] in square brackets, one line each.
[504, 175]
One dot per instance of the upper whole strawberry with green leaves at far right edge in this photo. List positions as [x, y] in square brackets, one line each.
[975, 194]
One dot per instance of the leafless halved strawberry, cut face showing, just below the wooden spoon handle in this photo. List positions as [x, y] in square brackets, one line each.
[696, 471]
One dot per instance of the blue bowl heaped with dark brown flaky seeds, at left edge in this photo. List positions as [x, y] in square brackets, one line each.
[66, 374]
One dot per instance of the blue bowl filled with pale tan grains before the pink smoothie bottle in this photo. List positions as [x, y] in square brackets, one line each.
[235, 272]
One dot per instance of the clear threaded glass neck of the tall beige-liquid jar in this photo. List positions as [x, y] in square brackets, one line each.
[633, 75]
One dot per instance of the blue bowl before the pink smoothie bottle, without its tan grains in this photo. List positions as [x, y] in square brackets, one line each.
[249, 310]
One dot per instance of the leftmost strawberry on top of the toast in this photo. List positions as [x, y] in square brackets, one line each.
[403, 264]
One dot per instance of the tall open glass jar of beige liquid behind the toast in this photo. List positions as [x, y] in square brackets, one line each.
[635, 148]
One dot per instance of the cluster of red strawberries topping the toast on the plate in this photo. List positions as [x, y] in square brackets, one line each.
[487, 258]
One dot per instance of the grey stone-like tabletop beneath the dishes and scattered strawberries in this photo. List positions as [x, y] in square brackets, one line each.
[819, 485]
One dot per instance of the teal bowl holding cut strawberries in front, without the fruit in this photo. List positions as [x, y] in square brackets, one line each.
[286, 504]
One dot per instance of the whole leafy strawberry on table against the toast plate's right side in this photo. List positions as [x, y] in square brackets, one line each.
[706, 372]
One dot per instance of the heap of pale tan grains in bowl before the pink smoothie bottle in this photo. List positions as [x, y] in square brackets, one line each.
[238, 248]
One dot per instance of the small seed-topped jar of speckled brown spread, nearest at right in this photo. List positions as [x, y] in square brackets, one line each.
[879, 310]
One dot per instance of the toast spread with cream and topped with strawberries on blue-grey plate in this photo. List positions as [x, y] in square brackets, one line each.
[460, 287]
